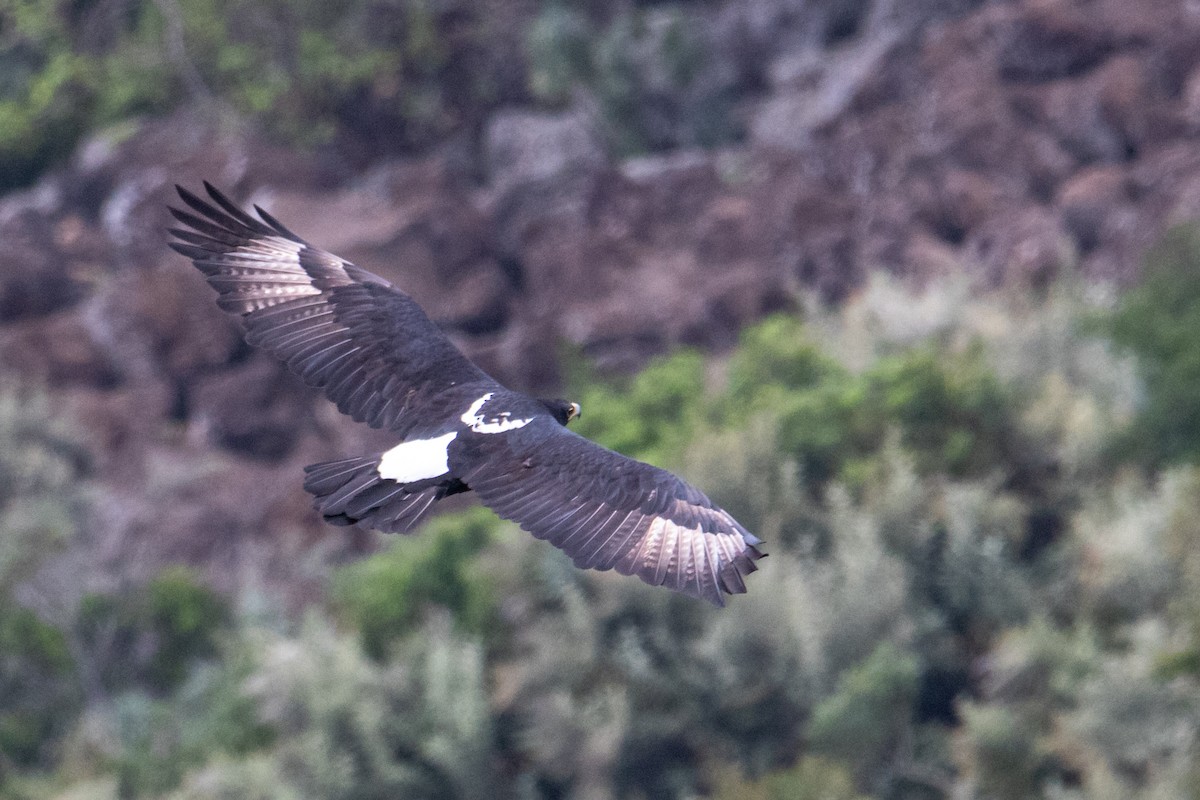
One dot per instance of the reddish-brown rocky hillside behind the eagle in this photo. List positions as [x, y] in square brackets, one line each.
[1018, 141]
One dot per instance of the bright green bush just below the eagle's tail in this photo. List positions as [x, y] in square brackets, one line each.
[385, 597]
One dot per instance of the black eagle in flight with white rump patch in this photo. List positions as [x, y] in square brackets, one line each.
[376, 354]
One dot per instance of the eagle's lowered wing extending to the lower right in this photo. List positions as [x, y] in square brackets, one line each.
[608, 512]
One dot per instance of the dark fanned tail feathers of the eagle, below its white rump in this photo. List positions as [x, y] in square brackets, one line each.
[351, 492]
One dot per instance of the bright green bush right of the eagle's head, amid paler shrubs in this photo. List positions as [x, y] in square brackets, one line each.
[953, 414]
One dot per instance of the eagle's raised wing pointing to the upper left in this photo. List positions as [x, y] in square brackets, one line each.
[368, 345]
